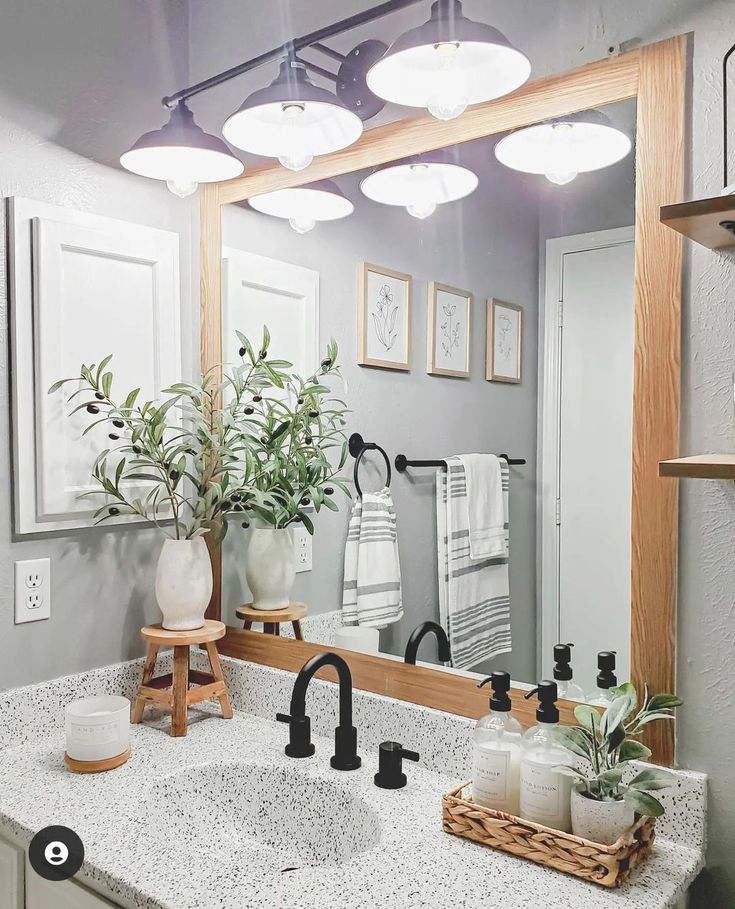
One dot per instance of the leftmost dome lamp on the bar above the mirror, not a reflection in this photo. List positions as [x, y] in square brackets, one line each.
[182, 154]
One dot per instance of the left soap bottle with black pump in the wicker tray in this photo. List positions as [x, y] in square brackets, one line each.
[497, 751]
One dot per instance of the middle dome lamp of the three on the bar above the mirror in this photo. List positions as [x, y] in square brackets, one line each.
[292, 120]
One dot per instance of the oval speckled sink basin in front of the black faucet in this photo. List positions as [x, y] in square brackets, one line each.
[276, 819]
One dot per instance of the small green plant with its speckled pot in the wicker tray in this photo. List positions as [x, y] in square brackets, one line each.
[603, 806]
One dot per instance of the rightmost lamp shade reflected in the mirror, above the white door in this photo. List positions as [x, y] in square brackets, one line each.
[562, 149]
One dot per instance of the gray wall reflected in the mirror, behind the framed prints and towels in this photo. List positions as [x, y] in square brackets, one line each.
[487, 244]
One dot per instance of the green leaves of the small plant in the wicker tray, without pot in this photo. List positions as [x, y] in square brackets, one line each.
[607, 743]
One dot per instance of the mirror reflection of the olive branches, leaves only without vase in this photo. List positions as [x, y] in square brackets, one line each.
[288, 440]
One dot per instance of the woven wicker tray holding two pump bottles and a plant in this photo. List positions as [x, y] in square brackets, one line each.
[608, 866]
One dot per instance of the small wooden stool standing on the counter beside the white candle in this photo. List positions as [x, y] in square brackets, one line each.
[172, 690]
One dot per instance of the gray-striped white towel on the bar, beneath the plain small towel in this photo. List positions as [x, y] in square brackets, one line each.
[474, 595]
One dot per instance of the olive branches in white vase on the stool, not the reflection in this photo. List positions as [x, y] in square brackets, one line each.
[190, 454]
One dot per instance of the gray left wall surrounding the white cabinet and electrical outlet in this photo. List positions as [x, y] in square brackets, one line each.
[79, 81]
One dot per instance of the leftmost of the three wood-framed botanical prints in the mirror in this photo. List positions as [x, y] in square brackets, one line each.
[384, 318]
